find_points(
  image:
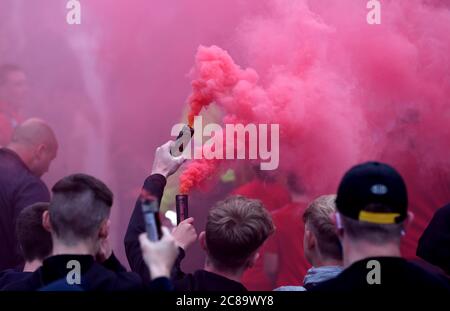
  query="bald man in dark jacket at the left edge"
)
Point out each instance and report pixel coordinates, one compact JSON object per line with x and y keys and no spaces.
{"x":26,"y":158}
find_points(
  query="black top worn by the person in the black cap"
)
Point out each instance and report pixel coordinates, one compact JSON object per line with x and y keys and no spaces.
{"x":395,"y":274}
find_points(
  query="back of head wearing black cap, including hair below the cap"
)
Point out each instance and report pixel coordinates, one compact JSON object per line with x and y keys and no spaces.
{"x":372,"y":202}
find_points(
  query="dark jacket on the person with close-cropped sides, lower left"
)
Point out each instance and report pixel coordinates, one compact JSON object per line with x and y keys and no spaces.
{"x":109,"y":276}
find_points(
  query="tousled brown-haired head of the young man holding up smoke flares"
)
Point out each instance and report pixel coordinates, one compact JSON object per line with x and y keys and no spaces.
{"x":235,"y":229}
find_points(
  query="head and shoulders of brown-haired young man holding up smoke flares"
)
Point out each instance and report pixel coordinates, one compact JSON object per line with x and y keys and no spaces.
{"x":235,"y":229}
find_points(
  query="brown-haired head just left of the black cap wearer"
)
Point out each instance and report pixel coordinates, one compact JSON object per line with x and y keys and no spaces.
{"x":318,"y":218}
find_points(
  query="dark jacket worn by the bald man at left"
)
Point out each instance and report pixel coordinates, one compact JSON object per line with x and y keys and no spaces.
{"x":19,"y":188}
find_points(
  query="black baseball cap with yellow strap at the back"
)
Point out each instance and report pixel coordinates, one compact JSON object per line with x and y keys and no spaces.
{"x":373,"y":192}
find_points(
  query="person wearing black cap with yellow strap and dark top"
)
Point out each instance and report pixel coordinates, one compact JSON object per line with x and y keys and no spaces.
{"x":372,"y":216}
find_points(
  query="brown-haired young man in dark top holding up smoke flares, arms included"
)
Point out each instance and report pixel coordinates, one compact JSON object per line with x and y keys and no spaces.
{"x":235,"y":230}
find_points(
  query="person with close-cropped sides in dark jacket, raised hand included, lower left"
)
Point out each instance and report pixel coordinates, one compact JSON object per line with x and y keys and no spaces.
{"x":78,"y":218}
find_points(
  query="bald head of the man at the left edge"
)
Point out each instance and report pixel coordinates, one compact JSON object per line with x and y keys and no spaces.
{"x":36,"y":144}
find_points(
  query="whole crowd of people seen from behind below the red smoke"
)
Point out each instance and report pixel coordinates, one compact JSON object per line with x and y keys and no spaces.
{"x":350,"y":239}
